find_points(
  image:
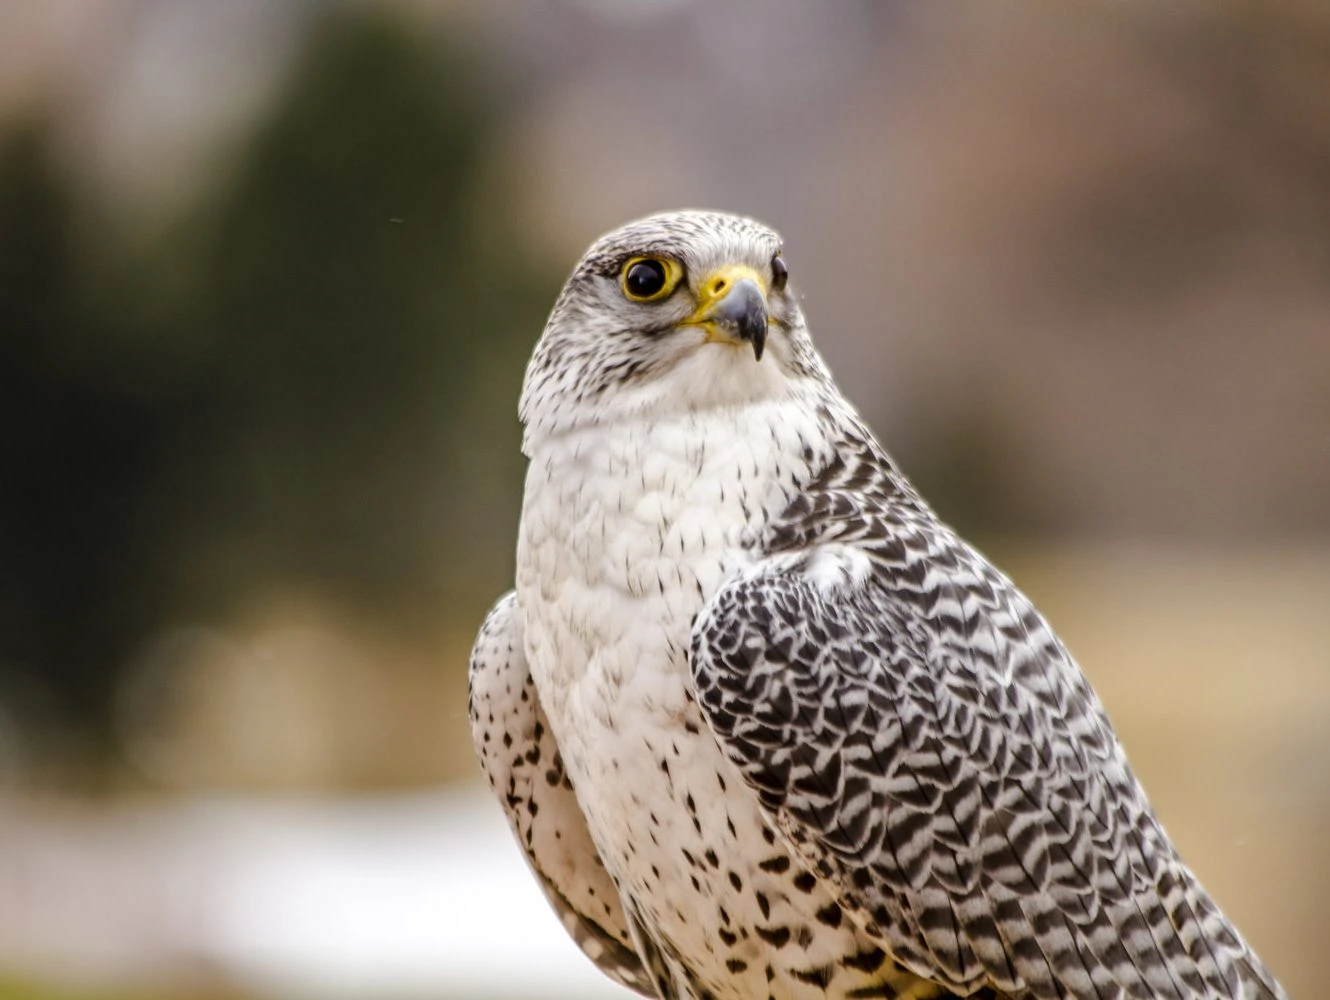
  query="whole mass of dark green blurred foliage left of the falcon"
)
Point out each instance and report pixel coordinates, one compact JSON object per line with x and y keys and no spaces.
{"x":308,"y":381}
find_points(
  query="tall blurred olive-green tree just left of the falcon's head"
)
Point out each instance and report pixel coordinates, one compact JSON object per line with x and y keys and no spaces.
{"x":356,"y":300}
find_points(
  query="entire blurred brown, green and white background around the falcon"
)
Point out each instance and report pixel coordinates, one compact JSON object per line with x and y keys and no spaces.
{"x":269,"y":276}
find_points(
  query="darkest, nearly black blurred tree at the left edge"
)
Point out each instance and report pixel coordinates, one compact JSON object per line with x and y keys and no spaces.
{"x":78,"y":450}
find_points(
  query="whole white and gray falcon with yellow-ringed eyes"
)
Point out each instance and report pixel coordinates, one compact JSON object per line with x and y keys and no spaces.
{"x":763,"y":724}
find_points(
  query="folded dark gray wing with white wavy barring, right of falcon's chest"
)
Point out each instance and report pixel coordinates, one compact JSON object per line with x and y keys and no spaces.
{"x":930,"y":751}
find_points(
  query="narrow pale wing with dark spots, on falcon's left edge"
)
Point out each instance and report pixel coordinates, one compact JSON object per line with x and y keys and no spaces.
{"x":522,"y":761}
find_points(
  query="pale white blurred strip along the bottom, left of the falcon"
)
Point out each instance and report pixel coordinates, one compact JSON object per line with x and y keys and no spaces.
{"x":410,"y":897}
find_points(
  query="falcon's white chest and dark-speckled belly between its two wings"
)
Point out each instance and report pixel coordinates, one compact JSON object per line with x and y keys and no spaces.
{"x":627,"y":534}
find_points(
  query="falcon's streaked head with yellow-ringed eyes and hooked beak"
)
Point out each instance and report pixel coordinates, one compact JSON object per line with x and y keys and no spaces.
{"x":674,"y":313}
